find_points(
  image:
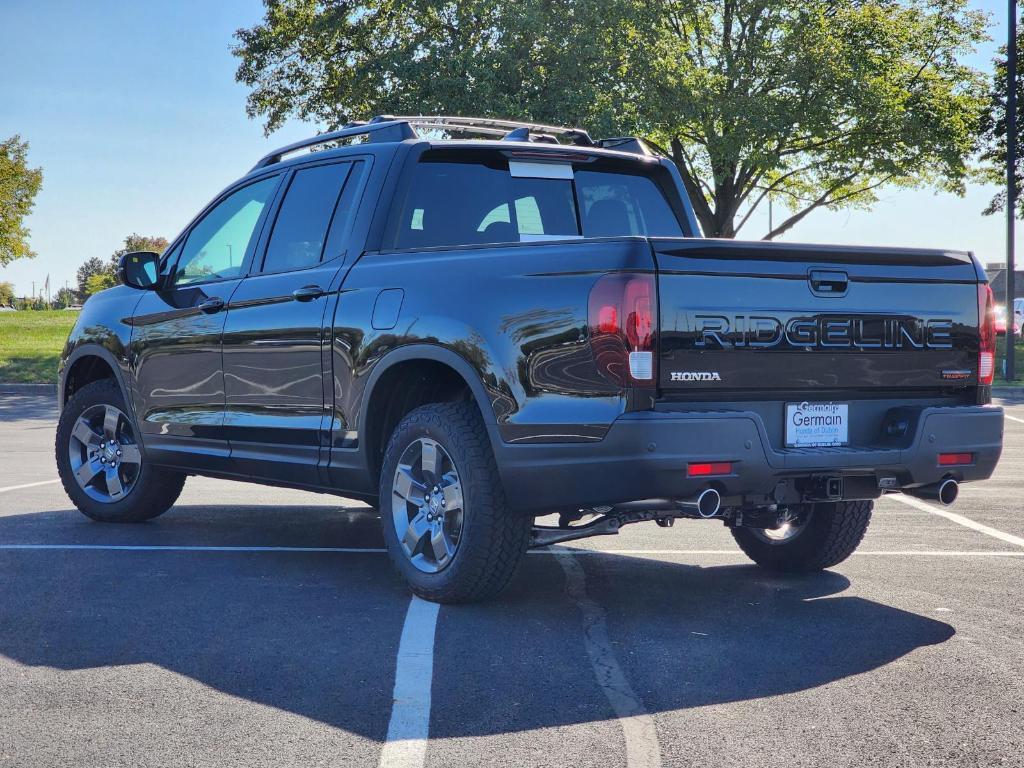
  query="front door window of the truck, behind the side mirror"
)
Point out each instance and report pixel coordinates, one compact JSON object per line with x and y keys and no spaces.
{"x":217,"y":247}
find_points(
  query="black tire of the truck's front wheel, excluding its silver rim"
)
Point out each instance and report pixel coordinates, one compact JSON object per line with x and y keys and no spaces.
{"x":152,"y":492}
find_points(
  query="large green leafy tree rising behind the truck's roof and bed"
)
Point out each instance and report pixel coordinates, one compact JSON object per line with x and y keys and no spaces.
{"x":816,"y":103}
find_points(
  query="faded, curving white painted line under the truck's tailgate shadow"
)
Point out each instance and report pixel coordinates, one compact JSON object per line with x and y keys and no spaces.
{"x":643,"y":750}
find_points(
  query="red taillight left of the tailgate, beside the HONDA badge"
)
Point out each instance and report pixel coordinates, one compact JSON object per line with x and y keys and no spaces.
{"x":622,"y":316}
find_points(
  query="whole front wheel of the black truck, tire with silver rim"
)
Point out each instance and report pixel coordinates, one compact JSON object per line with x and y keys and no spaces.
{"x":101,"y":463}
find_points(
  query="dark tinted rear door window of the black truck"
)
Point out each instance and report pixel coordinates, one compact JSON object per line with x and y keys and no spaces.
{"x":305,"y":219}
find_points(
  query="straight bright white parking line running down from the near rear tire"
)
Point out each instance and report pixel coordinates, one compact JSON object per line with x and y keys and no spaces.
{"x":406,"y":746}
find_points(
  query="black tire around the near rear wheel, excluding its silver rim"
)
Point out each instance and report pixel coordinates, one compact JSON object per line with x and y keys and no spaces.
{"x":493,"y":540}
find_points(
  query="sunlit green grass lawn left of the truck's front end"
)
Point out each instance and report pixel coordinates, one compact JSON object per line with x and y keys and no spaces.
{"x":31,"y":345}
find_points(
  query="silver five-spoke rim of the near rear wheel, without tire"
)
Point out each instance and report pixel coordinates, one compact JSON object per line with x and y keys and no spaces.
{"x":428,"y":505}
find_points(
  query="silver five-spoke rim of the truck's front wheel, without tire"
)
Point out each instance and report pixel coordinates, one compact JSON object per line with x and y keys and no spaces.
{"x":105,"y":457}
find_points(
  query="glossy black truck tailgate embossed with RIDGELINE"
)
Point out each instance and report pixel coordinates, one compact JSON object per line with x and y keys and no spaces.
{"x":760,"y":319}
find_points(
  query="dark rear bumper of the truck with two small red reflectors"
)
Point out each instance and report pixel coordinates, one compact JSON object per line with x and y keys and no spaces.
{"x":645,"y":455}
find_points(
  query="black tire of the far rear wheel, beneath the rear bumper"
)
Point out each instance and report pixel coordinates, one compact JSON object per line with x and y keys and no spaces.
{"x":831,"y":534}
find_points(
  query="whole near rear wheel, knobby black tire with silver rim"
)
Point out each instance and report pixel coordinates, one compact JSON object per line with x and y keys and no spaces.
{"x":446,"y":523}
